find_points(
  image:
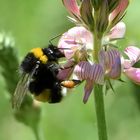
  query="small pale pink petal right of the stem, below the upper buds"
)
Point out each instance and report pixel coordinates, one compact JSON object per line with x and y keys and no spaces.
{"x":118,"y":31}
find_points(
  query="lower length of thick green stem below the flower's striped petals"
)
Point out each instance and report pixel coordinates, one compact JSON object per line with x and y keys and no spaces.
{"x":100,"y":113}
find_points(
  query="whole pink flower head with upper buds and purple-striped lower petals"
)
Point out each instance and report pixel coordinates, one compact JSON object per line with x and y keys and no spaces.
{"x":97,"y":21}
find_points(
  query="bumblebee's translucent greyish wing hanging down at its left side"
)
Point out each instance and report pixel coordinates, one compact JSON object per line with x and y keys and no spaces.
{"x":20,"y":91}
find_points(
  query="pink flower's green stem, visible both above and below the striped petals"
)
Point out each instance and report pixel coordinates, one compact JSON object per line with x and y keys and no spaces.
{"x":98,"y":92}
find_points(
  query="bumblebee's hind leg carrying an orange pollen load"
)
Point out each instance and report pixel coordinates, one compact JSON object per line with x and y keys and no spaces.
{"x":70,"y":83}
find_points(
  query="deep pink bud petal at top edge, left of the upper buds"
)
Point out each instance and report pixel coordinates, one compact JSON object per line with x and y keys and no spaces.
{"x":71,"y":6}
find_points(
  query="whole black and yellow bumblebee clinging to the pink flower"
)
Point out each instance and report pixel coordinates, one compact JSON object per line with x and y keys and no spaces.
{"x":39,"y":71}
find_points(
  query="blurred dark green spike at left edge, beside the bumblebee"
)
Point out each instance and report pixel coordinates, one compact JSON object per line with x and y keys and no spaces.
{"x":9,"y":65}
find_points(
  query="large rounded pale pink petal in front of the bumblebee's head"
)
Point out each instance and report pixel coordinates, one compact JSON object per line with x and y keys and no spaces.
{"x":73,"y":40}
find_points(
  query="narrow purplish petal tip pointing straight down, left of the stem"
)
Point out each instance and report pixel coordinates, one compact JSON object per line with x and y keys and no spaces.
{"x":88,"y":89}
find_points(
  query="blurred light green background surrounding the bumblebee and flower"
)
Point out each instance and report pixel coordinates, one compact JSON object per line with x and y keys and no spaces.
{"x":32,"y":23}
